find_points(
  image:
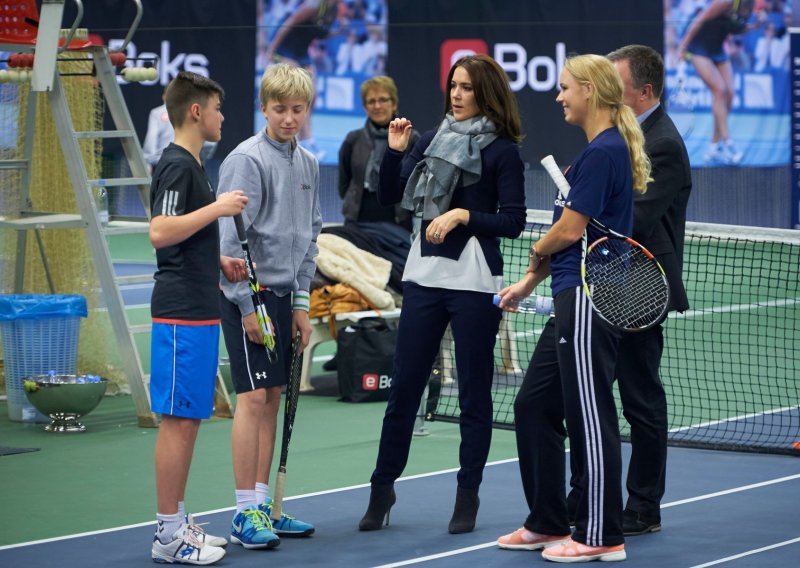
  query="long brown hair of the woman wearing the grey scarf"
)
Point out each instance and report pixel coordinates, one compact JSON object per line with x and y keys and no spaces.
{"x":493,"y":94}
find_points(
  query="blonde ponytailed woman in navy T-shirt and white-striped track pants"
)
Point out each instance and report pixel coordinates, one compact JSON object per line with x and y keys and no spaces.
{"x":572,"y":369}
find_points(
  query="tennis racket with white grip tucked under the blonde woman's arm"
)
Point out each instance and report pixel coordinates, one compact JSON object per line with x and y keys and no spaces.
{"x":624,"y":282}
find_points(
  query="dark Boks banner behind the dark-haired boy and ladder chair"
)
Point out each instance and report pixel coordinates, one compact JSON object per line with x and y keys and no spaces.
{"x":208,"y":37}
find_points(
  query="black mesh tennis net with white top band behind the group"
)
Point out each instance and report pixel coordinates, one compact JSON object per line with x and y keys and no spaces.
{"x":730,"y":365}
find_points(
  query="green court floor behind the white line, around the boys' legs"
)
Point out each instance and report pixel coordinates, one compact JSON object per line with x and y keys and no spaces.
{"x":104,"y":477}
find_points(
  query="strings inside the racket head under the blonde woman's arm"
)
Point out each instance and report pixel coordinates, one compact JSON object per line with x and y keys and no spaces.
{"x":626,"y":286}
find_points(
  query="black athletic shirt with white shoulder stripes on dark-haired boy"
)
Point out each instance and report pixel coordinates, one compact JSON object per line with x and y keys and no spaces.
{"x":187,"y":277}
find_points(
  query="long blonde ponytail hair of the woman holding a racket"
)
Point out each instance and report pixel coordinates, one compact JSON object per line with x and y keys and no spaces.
{"x":607,"y":93}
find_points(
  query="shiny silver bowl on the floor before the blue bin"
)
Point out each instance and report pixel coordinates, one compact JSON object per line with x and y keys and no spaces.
{"x":64,"y":398}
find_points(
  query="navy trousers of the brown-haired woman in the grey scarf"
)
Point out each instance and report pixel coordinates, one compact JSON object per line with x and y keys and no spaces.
{"x":474,"y":322}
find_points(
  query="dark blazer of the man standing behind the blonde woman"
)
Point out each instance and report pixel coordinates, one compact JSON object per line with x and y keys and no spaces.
{"x":659,"y":214}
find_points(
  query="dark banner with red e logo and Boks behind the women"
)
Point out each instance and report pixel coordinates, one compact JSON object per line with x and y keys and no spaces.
{"x":530,"y":40}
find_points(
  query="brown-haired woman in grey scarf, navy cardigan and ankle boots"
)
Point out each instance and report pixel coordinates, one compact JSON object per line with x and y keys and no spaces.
{"x":465,"y":182}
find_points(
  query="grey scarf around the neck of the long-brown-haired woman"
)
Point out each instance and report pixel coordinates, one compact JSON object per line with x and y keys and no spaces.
{"x":453,"y":157}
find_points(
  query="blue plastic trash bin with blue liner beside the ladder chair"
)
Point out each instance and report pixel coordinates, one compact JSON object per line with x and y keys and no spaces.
{"x":40,"y":334}
